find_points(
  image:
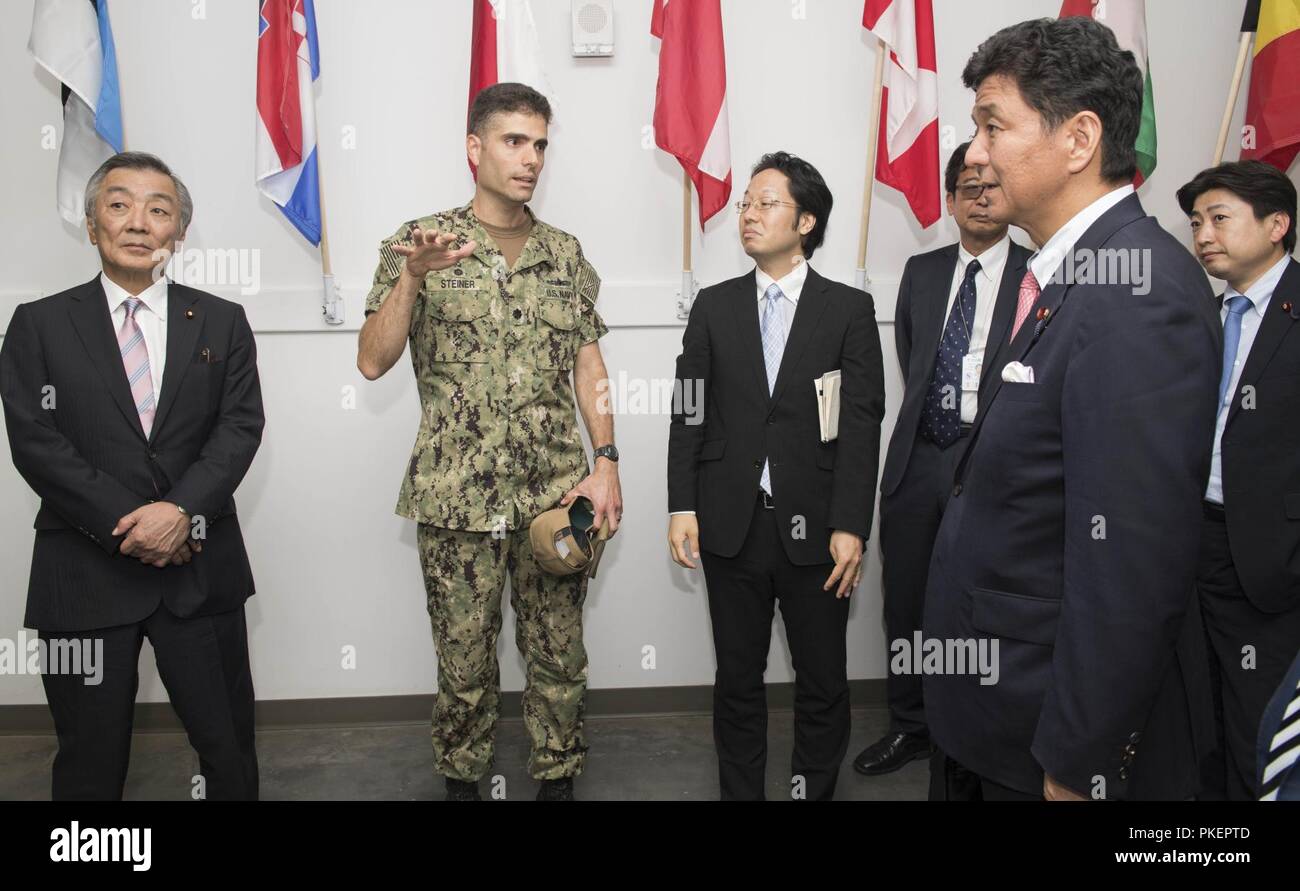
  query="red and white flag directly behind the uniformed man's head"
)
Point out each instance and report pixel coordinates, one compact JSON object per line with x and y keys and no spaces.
{"x":505,"y":49}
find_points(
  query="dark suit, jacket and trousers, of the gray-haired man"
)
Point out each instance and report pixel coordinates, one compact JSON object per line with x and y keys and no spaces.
{"x":88,"y":457}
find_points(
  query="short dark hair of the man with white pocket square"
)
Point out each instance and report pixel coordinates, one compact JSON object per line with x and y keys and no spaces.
{"x":1068,"y":66}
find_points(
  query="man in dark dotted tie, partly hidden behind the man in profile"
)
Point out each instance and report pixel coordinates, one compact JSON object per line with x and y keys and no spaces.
{"x":955,"y":312}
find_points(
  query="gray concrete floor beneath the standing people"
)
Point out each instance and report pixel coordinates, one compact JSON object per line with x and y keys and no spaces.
{"x":630,"y":759}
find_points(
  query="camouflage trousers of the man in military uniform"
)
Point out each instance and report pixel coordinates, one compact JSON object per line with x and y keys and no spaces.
{"x":463,"y":576}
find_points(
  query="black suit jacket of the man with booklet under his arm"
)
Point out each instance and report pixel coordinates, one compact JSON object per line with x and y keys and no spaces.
{"x":714,"y":466}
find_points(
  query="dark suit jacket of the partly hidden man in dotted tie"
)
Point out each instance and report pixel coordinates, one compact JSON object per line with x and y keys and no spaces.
{"x":920,"y":321}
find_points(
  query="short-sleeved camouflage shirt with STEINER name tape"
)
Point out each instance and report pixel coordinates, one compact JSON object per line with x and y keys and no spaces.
{"x":493,"y":351}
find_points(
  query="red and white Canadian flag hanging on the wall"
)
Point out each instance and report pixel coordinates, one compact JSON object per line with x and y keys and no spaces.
{"x":908,"y":150}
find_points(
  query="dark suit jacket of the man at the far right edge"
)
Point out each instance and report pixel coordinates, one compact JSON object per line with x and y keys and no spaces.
{"x":1262,"y":457}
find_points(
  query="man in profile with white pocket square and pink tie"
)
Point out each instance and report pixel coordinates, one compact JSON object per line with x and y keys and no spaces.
{"x":1068,"y":548}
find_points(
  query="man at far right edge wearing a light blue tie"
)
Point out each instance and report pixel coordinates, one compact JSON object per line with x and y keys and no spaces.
{"x":1243,"y":220}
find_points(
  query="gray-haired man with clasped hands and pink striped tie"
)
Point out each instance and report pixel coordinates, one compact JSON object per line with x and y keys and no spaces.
{"x":133,"y":410}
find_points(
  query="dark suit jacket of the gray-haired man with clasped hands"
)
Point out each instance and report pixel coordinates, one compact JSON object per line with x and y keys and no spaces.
{"x":89,"y":460}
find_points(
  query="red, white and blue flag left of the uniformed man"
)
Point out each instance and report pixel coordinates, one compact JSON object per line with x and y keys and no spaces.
{"x":288,"y":63}
